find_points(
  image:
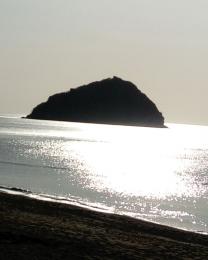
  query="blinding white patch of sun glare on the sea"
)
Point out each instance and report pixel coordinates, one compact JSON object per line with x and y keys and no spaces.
{"x":133,"y":162}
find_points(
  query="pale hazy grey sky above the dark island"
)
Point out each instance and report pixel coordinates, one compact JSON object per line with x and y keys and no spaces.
{"x":49,"y":46}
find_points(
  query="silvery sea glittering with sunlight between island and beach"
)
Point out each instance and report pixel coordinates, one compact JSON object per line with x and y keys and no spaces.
{"x":160,"y":175}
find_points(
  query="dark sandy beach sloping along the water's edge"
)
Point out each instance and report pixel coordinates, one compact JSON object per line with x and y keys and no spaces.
{"x":35,"y":229}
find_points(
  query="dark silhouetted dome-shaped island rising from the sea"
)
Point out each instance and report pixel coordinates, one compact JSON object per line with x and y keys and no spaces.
{"x":110,"y":101}
